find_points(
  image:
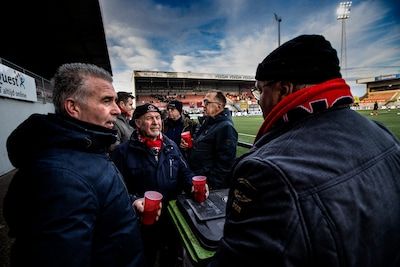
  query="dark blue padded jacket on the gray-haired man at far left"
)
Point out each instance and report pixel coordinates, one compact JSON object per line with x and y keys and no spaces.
{"x":67,"y":204}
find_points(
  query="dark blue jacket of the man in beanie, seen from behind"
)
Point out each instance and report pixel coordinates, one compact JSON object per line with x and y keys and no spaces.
{"x":324,"y":191}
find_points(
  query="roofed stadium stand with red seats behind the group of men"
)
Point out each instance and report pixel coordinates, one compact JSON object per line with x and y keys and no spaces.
{"x":190,"y":89}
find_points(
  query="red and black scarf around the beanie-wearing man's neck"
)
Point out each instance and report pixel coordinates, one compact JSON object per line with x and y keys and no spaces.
{"x":306,"y":101}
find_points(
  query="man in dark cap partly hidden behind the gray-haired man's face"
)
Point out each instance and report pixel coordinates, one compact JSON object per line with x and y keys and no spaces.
{"x":124,"y":129}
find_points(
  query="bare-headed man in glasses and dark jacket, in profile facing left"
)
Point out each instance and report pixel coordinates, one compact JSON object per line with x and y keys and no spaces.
{"x":214,"y":145}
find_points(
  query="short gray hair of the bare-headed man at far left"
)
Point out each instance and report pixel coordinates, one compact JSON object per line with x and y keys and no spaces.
{"x":69,"y":81}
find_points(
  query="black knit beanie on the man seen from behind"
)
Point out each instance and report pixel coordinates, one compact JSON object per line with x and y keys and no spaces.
{"x":306,"y":59}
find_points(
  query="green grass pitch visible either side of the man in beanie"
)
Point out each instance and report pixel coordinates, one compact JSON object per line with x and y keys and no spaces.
{"x":247,"y":127}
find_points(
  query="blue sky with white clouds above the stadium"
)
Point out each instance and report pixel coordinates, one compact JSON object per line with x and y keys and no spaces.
{"x":233,"y":36}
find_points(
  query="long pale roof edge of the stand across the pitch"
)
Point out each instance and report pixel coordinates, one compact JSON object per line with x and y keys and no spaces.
{"x":191,"y":75}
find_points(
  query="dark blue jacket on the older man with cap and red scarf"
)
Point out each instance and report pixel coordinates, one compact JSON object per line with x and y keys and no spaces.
{"x":169,"y":175}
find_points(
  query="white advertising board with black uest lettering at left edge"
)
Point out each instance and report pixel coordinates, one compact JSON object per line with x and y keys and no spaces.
{"x":17,"y":85}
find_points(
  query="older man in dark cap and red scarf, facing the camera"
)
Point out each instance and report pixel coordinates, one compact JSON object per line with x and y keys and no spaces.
{"x":152,"y":161}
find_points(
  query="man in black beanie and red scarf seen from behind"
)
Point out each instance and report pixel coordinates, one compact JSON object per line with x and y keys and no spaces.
{"x":321,"y":186}
